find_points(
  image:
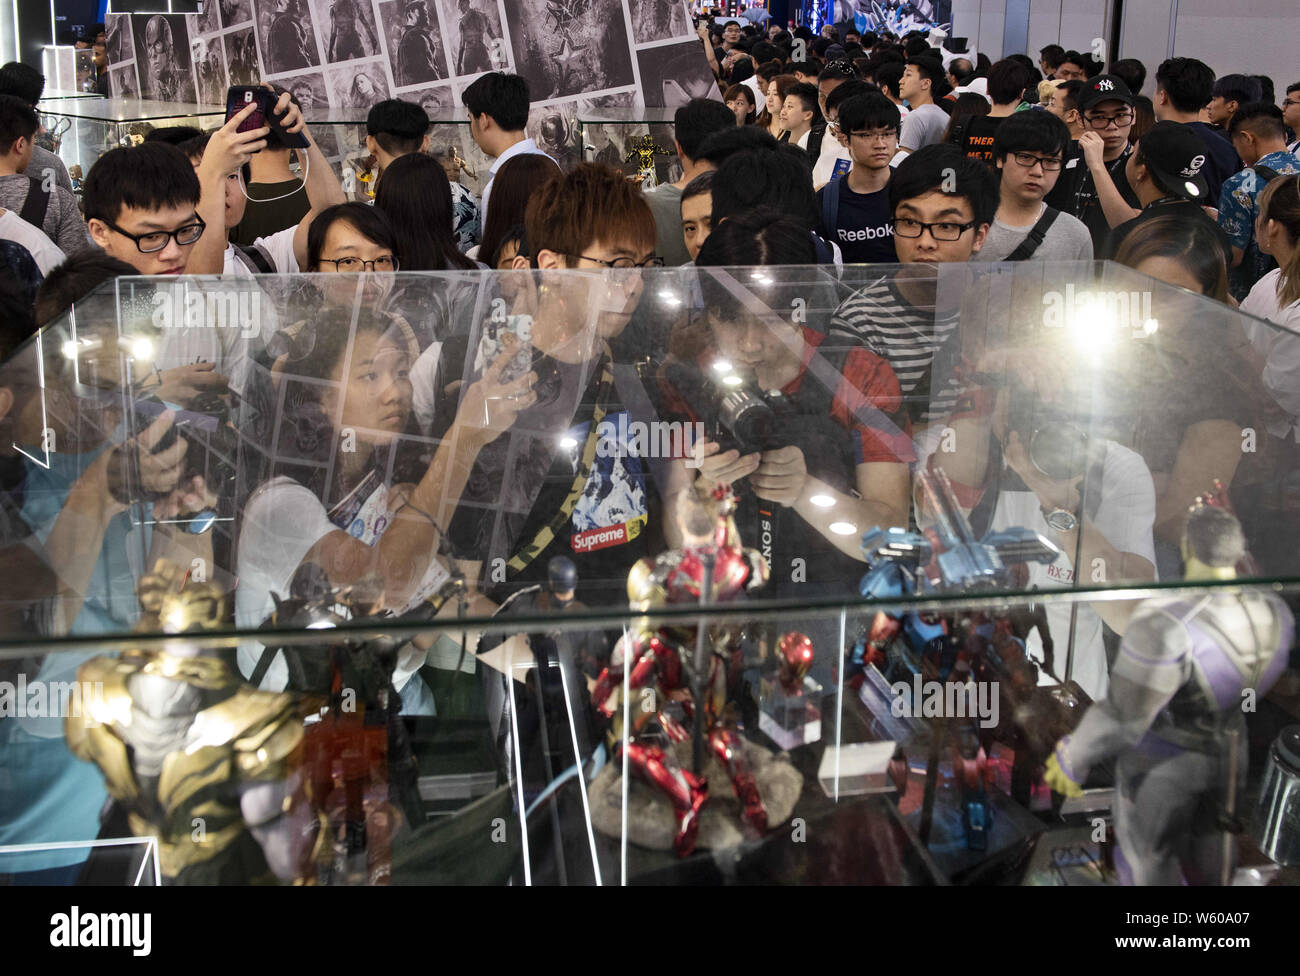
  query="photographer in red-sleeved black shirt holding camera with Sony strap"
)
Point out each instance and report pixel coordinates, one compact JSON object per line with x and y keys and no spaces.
{"x":800,"y":428}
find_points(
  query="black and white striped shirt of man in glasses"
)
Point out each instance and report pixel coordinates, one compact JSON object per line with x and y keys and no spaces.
{"x":909,"y":337}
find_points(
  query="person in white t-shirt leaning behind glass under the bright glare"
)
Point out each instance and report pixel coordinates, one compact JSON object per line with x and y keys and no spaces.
{"x":1019,"y":456}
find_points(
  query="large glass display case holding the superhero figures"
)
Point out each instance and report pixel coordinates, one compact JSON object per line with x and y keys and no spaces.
{"x":445,"y":580}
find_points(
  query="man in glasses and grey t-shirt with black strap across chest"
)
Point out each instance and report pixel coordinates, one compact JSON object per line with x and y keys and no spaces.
{"x":1029,"y":150}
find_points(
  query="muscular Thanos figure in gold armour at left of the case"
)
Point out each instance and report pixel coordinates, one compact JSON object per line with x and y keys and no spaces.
{"x":197,"y":757}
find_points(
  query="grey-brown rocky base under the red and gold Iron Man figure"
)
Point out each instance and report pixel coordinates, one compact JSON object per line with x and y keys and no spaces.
{"x":652,"y":821}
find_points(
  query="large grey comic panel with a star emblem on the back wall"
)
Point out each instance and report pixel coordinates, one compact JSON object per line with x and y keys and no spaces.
{"x":570,"y":47}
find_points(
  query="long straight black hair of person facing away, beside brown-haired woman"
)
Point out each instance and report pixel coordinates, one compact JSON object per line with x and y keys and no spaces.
{"x":415,"y":196}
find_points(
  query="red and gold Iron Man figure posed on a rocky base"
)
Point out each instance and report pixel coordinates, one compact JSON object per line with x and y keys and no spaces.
{"x":655,"y":662}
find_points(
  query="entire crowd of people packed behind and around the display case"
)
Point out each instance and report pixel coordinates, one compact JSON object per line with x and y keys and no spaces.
{"x":478,"y":409}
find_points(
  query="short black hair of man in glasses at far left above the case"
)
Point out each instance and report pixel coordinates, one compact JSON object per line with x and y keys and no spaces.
{"x":146,"y":177}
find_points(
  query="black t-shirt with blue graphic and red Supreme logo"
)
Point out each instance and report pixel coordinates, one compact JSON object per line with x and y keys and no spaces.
{"x":522,"y":480}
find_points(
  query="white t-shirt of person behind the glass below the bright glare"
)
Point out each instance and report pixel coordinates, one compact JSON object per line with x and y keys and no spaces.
{"x":1126,"y":518}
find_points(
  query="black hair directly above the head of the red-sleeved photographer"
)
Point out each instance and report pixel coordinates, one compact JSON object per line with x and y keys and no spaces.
{"x":779,"y":177}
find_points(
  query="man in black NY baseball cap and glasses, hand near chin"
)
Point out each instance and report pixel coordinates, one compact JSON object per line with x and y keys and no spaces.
{"x":1093,"y":186}
